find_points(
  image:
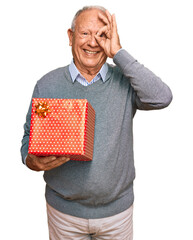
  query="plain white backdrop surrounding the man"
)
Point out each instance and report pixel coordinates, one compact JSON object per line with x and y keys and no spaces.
{"x":158,"y":33}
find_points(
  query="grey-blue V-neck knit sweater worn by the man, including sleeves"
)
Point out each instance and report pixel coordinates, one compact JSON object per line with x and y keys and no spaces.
{"x":104,"y":186}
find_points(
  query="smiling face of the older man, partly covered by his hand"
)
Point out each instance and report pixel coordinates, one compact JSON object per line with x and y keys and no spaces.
{"x":87,"y":54}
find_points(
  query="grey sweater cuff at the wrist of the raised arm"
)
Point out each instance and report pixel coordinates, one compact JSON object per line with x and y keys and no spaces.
{"x":122,"y":58}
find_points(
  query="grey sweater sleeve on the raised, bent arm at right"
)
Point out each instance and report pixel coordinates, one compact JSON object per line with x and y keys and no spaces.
{"x":149,"y":91}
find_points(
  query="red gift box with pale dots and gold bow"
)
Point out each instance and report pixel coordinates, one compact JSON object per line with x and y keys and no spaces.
{"x":62,"y":127}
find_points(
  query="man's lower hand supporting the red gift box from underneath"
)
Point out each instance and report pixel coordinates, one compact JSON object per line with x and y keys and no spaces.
{"x":44,"y":163}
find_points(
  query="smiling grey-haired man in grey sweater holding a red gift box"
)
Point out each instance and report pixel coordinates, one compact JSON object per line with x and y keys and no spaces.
{"x":94,"y":200}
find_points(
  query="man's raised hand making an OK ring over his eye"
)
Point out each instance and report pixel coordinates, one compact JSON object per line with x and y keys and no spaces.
{"x":107,"y":37}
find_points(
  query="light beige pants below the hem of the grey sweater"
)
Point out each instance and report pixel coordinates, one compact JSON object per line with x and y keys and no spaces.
{"x":62,"y":226}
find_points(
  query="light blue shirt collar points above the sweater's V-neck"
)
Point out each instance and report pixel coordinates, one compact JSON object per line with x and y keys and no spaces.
{"x":74,"y":71}
